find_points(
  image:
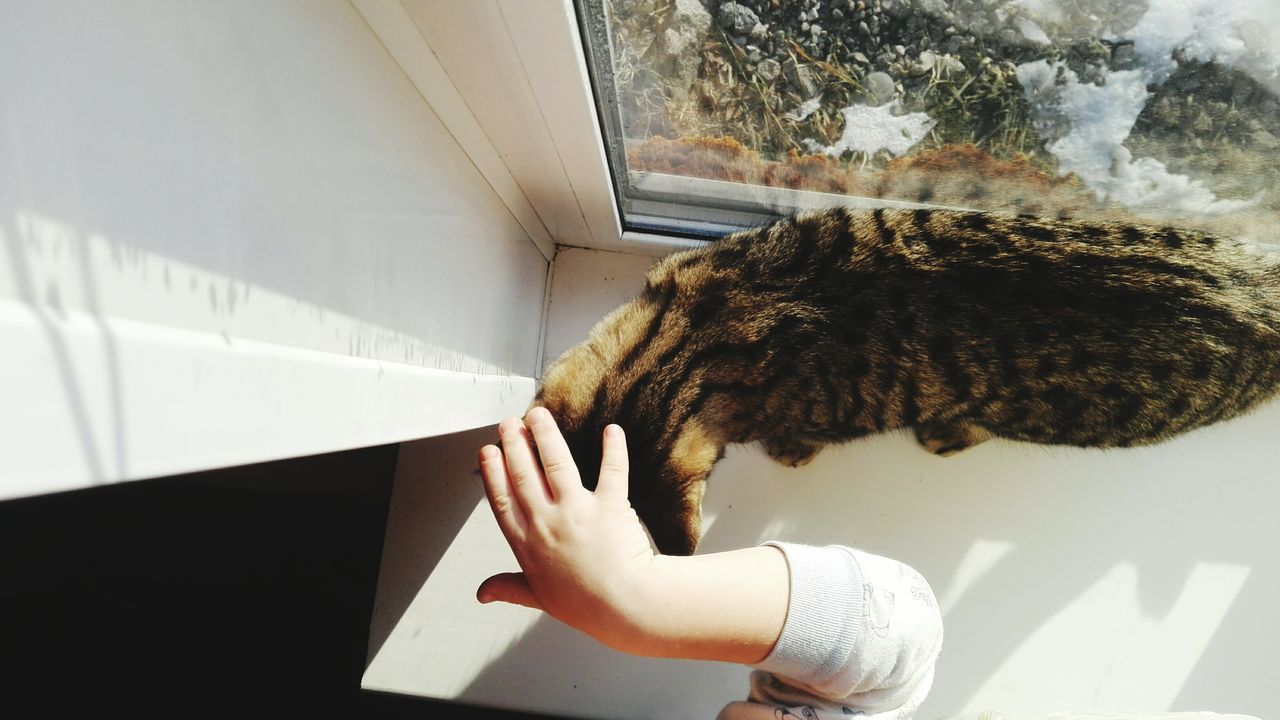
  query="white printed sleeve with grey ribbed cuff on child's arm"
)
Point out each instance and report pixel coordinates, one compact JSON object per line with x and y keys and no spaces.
{"x":862,"y":635}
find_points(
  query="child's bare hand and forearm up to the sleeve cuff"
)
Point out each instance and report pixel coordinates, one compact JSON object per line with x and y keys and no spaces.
{"x":588,"y":560}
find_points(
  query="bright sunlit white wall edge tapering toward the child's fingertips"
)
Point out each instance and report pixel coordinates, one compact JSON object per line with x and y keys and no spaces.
{"x":122,"y":400}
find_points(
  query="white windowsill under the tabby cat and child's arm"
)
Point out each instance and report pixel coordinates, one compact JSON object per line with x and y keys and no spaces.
{"x":1071,"y":580}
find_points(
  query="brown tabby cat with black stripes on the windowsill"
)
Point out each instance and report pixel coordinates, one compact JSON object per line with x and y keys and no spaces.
{"x":962,"y":326}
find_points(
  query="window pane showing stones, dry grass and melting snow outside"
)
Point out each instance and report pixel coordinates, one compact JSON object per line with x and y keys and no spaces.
{"x":721,"y":115}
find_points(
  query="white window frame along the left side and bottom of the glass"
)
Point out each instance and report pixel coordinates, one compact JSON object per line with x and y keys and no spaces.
{"x":542,"y":43}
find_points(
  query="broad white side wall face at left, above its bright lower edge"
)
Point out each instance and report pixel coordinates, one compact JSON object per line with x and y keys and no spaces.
{"x":371,"y":213}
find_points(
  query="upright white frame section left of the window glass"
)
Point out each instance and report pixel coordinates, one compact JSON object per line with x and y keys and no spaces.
{"x":519,"y":102}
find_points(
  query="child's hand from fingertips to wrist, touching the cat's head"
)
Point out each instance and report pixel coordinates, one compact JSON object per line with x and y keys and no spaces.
{"x":586,"y":555}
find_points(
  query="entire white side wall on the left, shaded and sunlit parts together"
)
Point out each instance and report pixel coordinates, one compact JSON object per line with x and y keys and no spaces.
{"x":252,"y":174}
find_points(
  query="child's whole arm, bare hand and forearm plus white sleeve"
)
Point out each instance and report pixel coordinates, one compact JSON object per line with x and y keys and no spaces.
{"x":833,"y":630}
